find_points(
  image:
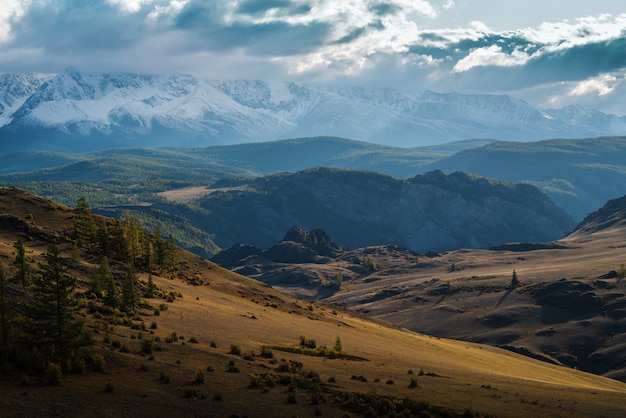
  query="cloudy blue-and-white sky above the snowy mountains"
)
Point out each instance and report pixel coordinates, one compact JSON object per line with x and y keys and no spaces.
{"x":551,"y":53}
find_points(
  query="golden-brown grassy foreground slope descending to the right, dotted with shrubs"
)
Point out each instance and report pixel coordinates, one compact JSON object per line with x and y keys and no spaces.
{"x":230,"y":309}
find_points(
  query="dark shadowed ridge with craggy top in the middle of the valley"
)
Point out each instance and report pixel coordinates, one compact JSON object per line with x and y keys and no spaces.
{"x":433,"y":211}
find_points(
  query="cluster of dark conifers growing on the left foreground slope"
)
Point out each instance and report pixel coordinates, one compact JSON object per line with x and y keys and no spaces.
{"x":40,"y":326}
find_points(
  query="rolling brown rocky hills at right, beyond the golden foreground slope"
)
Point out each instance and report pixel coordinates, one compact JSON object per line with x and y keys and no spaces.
{"x":565,"y":306}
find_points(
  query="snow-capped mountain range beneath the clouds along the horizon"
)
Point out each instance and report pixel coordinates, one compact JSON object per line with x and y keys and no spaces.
{"x":76,"y":111}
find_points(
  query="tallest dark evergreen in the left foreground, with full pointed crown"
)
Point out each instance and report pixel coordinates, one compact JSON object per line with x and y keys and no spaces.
{"x":50,"y":317}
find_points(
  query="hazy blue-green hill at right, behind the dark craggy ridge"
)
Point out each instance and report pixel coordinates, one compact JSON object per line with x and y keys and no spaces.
{"x":579,"y":175}
